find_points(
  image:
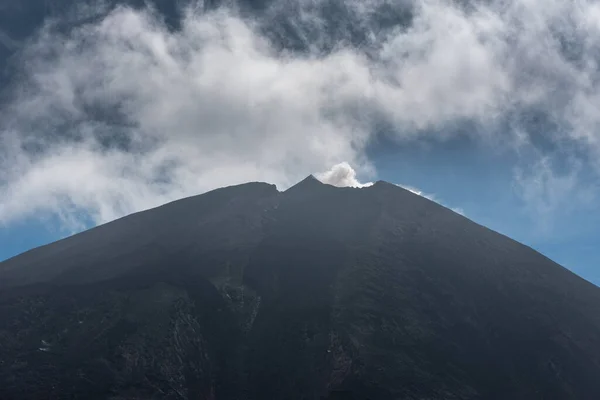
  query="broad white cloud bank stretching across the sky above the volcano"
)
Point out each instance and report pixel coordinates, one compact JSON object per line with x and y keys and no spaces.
{"x":217,"y":103}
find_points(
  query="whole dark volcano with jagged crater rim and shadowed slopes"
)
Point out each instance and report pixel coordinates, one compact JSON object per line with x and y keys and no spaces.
{"x":317,"y":292}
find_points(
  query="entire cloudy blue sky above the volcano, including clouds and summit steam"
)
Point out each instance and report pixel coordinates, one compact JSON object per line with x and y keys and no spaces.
{"x":490,"y":107}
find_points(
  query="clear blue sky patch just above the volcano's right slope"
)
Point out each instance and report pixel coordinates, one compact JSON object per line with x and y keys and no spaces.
{"x":482,"y":186}
